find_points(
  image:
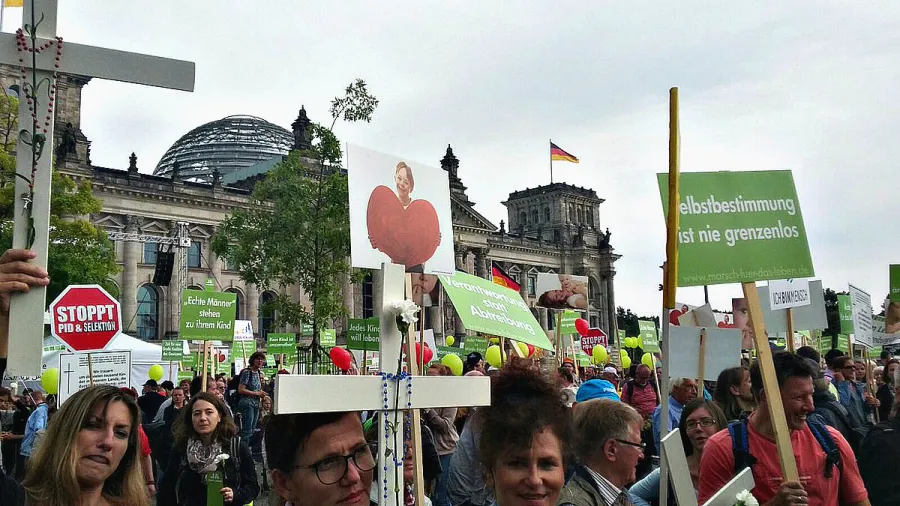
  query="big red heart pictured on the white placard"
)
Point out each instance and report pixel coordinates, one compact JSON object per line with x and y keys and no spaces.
{"x":408,"y":236}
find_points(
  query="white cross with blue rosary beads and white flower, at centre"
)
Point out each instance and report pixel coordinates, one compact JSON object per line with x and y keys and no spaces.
{"x":319,"y":394}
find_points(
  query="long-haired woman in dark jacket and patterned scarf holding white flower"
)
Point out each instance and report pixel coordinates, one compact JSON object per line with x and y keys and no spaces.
{"x":208,"y":458}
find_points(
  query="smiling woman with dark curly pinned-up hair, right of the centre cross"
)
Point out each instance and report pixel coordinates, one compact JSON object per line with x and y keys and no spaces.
{"x":525,"y":437}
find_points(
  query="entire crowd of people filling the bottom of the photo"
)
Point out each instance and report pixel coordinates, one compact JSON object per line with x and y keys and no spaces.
{"x":563,"y":437}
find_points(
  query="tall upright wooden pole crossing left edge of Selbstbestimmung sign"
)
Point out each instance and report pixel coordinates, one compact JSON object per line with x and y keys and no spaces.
{"x":670,"y":274}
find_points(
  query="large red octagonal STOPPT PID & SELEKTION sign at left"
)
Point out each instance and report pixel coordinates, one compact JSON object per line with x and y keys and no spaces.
{"x":85,"y":318}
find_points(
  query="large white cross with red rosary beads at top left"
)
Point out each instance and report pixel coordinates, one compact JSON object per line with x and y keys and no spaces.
{"x":33,"y":51}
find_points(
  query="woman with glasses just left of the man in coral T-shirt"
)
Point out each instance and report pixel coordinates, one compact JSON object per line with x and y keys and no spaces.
{"x":700,"y":419}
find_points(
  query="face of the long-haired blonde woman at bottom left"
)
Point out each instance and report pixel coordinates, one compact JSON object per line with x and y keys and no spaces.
{"x":101,"y":443}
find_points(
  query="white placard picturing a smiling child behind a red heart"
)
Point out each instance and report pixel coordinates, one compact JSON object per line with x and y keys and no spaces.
{"x":399,"y":213}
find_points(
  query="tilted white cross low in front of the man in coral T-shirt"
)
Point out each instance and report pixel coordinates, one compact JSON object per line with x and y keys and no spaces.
{"x":674,"y":460}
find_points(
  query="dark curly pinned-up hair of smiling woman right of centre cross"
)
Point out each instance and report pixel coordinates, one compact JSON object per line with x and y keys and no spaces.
{"x":523,"y":402}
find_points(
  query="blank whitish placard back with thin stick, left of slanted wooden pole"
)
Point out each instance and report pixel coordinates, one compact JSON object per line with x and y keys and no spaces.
{"x":723,"y":350}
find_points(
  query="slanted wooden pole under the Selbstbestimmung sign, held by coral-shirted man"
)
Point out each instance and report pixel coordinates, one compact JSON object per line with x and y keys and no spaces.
{"x":770,"y":384}
